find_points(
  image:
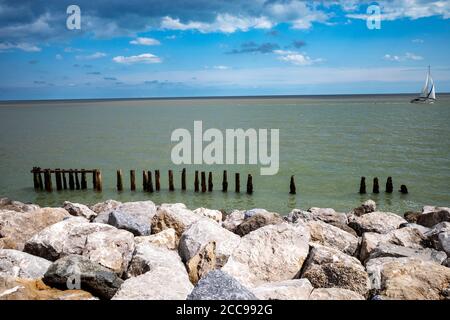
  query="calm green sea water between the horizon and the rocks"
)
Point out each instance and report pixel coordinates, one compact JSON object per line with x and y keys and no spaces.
{"x":328,"y":143}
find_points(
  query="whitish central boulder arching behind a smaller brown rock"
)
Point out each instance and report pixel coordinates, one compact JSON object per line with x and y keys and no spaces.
{"x":204,"y":231}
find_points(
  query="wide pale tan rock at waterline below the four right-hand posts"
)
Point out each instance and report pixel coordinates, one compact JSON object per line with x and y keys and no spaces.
{"x":380,"y":222}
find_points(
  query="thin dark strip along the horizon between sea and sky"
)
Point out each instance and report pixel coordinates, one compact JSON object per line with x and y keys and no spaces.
{"x":323,"y":96}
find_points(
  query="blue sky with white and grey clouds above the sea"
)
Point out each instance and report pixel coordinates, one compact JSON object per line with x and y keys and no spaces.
{"x":156,"y":48}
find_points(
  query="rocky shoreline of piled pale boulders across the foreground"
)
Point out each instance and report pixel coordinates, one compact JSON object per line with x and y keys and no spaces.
{"x":139,"y":250}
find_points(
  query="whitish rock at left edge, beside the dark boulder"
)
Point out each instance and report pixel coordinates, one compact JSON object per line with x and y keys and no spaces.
{"x":23,"y":265}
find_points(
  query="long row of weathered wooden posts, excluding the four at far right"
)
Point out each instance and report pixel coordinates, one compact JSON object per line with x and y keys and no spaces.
{"x":147,"y":180}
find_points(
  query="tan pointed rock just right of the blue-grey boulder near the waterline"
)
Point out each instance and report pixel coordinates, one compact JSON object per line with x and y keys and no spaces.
{"x":175,"y":217}
